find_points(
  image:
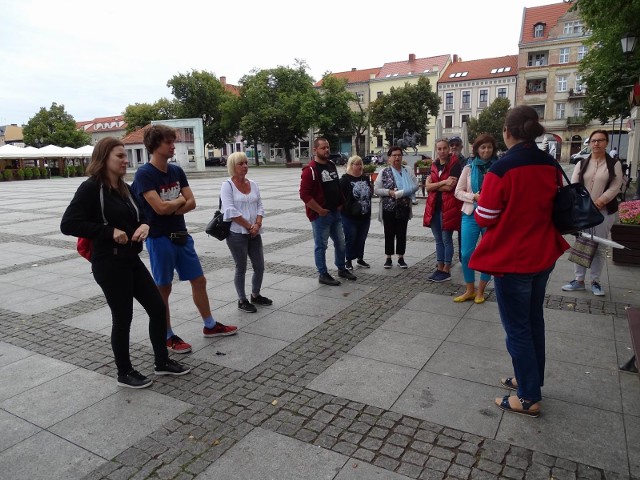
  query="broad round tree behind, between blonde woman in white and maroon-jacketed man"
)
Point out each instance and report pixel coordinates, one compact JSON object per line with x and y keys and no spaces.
{"x":278,"y":105}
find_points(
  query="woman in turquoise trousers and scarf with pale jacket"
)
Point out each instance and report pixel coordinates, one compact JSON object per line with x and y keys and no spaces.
{"x":468,"y":191}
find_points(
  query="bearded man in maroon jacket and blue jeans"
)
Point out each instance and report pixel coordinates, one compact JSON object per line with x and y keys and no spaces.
{"x":321,"y":194}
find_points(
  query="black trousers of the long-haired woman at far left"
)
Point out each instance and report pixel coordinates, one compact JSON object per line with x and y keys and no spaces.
{"x":122,"y":280}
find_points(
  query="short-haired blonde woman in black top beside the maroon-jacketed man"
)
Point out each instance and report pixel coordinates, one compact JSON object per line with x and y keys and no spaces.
{"x":356,"y":211}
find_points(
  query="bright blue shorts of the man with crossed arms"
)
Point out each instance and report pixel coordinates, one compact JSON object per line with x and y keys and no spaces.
{"x":166,"y":257}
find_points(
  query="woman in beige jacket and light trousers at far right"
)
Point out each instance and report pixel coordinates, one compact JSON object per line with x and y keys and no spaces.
{"x":602,"y":177}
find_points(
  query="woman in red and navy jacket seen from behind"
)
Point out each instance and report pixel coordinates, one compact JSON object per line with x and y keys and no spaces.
{"x":520,"y":248}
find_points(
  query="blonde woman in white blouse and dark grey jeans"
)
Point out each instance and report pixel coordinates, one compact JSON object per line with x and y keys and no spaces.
{"x":241,"y":204}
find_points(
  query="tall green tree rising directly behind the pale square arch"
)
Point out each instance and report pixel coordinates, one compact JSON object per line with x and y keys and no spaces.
{"x":201,"y":95}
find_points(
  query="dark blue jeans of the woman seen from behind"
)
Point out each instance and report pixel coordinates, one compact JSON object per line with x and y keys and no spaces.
{"x":521,"y":301}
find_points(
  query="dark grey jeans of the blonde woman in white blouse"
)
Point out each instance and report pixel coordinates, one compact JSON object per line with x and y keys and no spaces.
{"x":242,"y":245}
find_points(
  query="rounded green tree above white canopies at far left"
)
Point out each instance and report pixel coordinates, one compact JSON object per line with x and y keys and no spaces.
{"x":54,"y":127}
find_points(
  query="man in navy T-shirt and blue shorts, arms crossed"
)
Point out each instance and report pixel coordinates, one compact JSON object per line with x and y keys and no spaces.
{"x":166,"y":196}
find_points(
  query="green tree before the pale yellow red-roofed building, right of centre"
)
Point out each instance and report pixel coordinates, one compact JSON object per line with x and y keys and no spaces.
{"x":411,"y":105}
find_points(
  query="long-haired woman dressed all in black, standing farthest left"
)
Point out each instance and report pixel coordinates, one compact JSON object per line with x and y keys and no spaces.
{"x":104,"y":211}
